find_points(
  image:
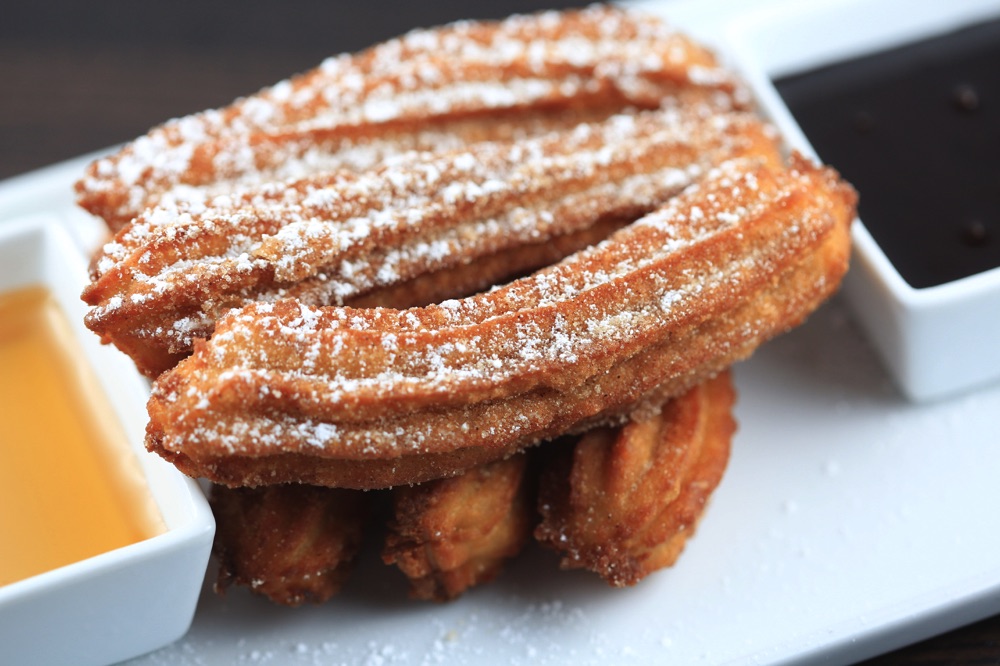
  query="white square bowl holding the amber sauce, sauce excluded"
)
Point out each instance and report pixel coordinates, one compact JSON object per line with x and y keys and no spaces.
{"x":133,"y":599}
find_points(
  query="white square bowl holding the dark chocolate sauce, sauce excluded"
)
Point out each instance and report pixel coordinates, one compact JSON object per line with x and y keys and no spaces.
{"x":936,"y":341}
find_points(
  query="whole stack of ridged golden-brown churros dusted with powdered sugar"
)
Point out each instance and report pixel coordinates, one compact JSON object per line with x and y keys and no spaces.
{"x":408,"y":268}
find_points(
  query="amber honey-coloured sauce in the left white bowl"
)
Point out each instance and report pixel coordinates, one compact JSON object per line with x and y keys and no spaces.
{"x":70,"y":487}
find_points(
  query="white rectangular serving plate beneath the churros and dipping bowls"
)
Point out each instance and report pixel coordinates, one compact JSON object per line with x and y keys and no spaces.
{"x":850,"y":522}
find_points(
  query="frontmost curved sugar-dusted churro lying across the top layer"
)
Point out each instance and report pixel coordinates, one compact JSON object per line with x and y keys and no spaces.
{"x":360,"y":398}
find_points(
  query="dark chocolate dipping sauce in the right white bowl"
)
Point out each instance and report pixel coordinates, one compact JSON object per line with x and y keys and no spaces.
{"x":916,"y":130}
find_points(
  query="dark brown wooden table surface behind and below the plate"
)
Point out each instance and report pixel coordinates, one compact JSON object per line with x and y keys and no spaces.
{"x":78,"y":76}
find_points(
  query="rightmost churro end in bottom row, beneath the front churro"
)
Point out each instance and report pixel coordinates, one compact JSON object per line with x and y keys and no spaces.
{"x":623,"y":502}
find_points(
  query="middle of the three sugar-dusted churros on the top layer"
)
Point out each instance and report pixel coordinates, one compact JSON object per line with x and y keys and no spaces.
{"x":332,"y":239}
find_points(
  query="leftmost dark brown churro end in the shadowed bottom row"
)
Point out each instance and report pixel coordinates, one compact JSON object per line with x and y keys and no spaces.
{"x":293,"y":544}
